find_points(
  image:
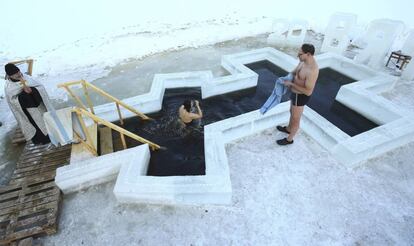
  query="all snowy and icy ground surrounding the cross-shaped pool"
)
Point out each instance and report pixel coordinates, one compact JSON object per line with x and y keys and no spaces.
{"x":296,"y":195}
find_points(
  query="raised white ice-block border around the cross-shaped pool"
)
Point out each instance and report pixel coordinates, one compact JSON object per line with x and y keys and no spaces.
{"x":132,"y":185}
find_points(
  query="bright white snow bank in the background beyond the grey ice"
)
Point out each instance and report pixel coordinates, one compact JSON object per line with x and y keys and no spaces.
{"x":76,"y":39}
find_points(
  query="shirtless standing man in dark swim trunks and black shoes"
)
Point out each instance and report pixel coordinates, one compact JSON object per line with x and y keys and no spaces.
{"x":305,"y":76}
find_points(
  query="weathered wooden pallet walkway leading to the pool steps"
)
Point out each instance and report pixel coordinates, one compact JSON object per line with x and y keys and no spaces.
{"x":29,"y":205}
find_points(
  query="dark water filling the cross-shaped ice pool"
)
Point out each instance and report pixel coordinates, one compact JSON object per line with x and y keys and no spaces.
{"x":185,"y":147}
